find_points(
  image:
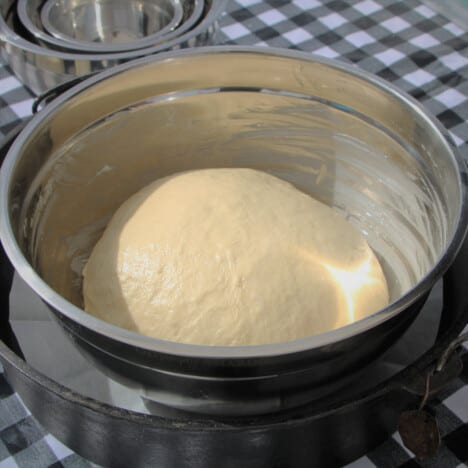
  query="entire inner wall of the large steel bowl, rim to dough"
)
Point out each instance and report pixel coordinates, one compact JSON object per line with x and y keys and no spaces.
{"x":359,"y":148}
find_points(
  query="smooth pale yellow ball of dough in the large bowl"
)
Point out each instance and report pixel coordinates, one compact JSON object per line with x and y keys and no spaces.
{"x":230,"y":257}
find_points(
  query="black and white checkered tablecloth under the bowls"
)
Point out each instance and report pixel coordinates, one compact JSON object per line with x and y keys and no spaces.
{"x":405,"y":42}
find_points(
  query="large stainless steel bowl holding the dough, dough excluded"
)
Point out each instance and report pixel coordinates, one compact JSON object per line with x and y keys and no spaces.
{"x":339,"y":134}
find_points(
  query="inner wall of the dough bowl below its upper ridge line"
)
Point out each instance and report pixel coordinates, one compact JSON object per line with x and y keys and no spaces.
{"x":329,"y":152}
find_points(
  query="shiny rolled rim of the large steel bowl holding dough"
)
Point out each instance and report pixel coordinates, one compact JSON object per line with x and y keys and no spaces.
{"x":79,"y":316}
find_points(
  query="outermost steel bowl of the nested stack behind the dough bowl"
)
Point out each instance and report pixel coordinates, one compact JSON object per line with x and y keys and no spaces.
{"x":41,"y":69}
